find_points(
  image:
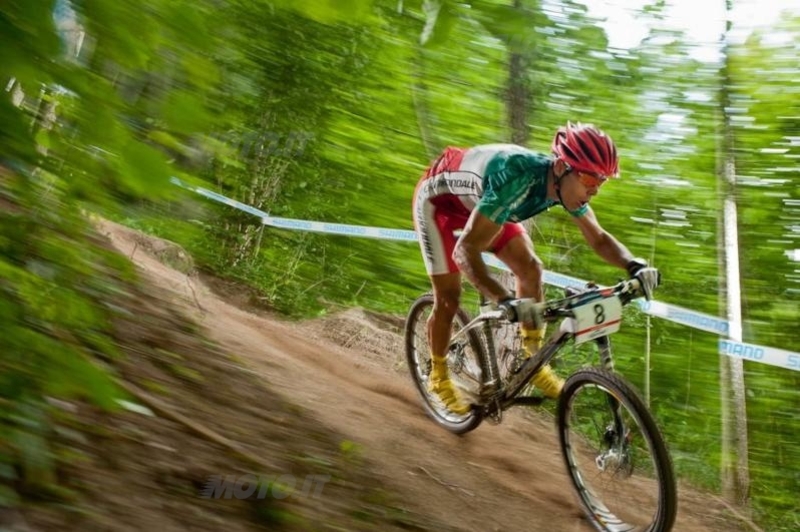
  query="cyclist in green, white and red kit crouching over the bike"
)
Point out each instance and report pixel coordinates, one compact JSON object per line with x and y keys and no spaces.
{"x":485,"y":191}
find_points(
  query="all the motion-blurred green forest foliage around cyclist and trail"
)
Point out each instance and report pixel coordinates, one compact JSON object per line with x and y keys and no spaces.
{"x":330,"y":111}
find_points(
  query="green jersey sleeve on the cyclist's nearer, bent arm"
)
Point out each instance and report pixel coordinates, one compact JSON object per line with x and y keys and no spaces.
{"x":505,"y":185}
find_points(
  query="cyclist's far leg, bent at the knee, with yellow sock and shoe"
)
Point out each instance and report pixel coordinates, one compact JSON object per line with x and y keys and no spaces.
{"x":515,"y":248}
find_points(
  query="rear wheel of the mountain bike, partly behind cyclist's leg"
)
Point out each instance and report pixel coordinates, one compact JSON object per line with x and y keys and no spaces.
{"x":465,"y":360}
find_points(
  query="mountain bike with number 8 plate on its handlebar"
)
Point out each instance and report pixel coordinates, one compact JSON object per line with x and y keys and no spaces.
{"x":613,"y":450}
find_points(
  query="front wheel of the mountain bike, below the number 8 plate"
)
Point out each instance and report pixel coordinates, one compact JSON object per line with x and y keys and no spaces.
{"x":615,"y":454}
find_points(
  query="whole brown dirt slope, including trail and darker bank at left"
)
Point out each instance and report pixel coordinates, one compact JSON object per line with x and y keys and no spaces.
{"x":328,"y":397}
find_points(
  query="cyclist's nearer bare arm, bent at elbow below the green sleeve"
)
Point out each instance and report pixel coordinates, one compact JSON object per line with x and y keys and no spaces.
{"x":476,"y":238}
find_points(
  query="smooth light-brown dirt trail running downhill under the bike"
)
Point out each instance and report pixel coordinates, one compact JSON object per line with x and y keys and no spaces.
{"x":347,"y":373}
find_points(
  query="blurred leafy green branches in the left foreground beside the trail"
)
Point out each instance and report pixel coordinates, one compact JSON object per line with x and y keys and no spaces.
{"x":77,"y":132}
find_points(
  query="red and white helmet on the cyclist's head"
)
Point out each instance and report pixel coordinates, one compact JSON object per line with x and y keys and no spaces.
{"x":587,"y":149}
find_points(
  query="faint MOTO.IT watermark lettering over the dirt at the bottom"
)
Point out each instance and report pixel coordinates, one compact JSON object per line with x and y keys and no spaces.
{"x":263,"y":486}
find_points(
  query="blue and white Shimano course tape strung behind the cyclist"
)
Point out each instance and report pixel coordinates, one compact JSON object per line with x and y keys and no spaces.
{"x":673,"y":313}
